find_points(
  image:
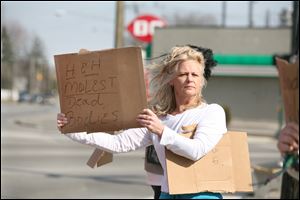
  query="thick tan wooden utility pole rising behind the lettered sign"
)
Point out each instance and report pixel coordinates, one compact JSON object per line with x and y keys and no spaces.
{"x":119,"y":24}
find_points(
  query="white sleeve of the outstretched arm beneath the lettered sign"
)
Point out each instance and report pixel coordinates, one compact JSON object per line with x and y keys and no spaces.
{"x":125,"y":141}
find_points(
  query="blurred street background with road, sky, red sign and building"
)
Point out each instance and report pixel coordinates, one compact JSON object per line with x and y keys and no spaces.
{"x":37,"y":162}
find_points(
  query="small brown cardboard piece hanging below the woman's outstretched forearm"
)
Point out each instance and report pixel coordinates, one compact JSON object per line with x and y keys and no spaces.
{"x":99,"y":158}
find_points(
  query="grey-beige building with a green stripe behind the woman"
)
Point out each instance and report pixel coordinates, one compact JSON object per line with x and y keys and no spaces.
{"x":250,"y":91}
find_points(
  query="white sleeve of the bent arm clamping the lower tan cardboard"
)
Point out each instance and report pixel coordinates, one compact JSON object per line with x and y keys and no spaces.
{"x":209,"y":132}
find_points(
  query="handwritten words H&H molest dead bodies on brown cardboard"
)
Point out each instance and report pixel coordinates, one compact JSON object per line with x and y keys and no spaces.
{"x":87,"y":92}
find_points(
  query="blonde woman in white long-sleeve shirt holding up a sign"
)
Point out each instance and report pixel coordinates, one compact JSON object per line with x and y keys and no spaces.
{"x":177,"y":83}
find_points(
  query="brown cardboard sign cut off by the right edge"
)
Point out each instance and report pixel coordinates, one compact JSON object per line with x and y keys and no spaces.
{"x":289,"y":86}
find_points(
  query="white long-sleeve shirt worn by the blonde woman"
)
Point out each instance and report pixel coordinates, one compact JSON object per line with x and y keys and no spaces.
{"x":211,"y":127}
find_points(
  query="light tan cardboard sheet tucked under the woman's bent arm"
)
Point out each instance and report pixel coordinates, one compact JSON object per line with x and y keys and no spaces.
{"x":224,"y":169}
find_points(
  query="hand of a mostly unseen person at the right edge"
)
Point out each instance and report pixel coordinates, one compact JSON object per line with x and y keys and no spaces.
{"x":288,"y":140}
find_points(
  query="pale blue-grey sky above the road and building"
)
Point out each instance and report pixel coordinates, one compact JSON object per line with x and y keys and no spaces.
{"x":66,"y":27}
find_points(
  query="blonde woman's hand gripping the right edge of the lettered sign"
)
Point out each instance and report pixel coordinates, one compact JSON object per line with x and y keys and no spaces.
{"x":148,"y":119}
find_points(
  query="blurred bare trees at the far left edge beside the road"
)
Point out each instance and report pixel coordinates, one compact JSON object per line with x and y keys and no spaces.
{"x":24,"y":62}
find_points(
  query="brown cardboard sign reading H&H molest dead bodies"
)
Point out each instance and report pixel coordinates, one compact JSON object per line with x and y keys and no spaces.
{"x":101,"y":90}
